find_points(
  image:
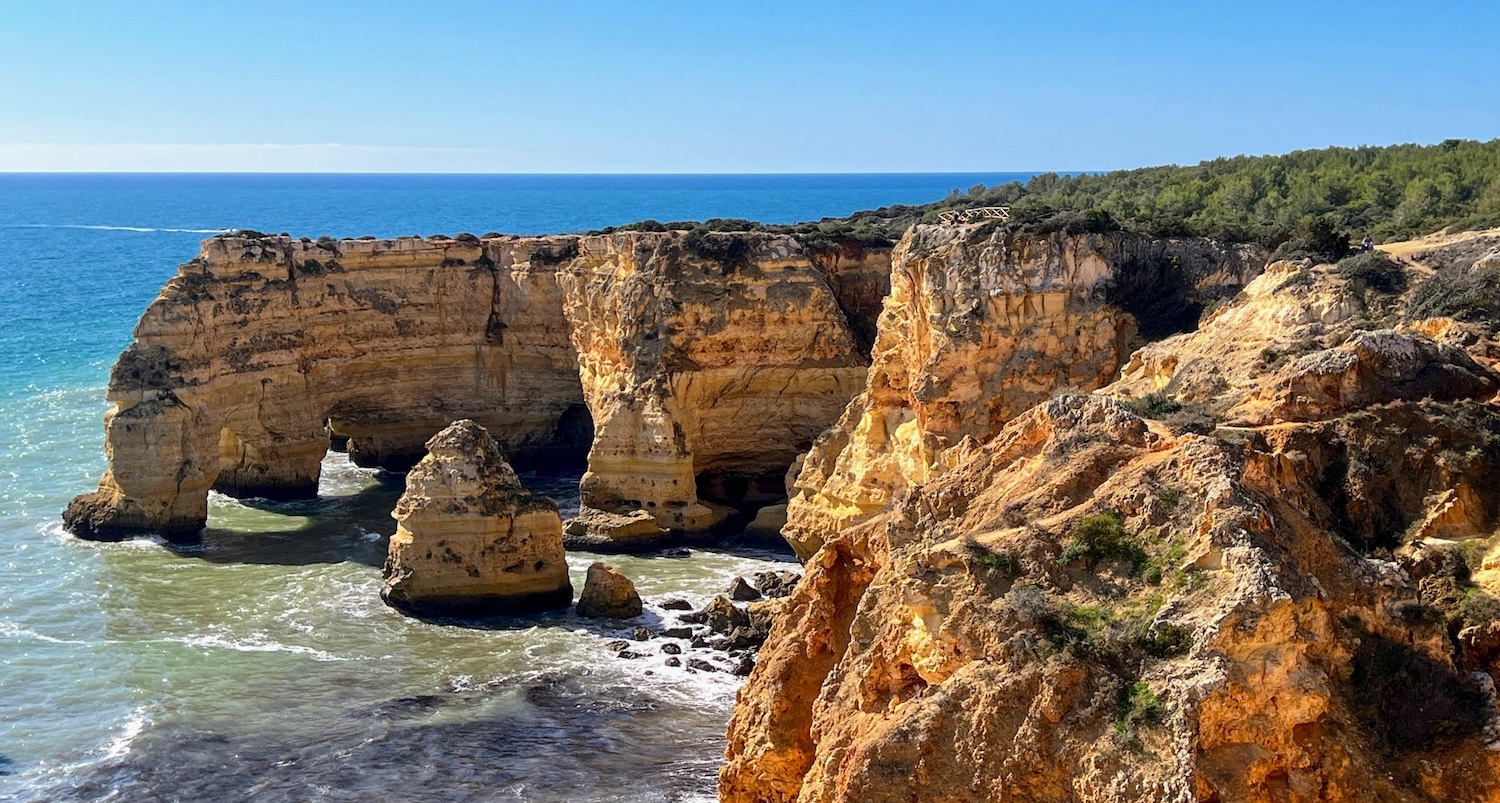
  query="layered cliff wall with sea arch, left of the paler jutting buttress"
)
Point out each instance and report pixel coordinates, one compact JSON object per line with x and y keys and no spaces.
{"x":262,"y":346}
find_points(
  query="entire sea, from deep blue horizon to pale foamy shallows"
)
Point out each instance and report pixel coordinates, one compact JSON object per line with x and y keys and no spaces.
{"x":262,"y":664}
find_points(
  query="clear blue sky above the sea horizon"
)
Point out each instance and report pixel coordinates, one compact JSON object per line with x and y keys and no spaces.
{"x":572,"y":86}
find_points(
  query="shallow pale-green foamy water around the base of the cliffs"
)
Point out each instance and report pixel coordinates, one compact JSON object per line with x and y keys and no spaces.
{"x":262,"y":666}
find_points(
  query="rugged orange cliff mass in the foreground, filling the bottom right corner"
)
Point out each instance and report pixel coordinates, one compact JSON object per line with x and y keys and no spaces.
{"x":1091,"y":606}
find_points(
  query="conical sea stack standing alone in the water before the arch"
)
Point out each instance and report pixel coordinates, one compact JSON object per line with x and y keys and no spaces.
{"x":472,"y":541}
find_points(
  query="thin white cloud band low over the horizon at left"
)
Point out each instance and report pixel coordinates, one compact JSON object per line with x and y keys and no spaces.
{"x":247,"y":158}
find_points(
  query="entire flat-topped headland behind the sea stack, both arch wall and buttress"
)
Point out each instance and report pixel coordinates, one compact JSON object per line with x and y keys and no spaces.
{"x":710,"y":359}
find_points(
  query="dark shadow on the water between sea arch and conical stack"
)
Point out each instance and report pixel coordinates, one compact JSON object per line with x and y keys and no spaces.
{"x":352,"y":528}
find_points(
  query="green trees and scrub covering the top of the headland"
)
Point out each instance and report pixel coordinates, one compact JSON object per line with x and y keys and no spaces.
{"x":1298,"y":199}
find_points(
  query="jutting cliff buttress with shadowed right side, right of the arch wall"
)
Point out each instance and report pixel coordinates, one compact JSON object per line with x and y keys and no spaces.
{"x":709,"y":362}
